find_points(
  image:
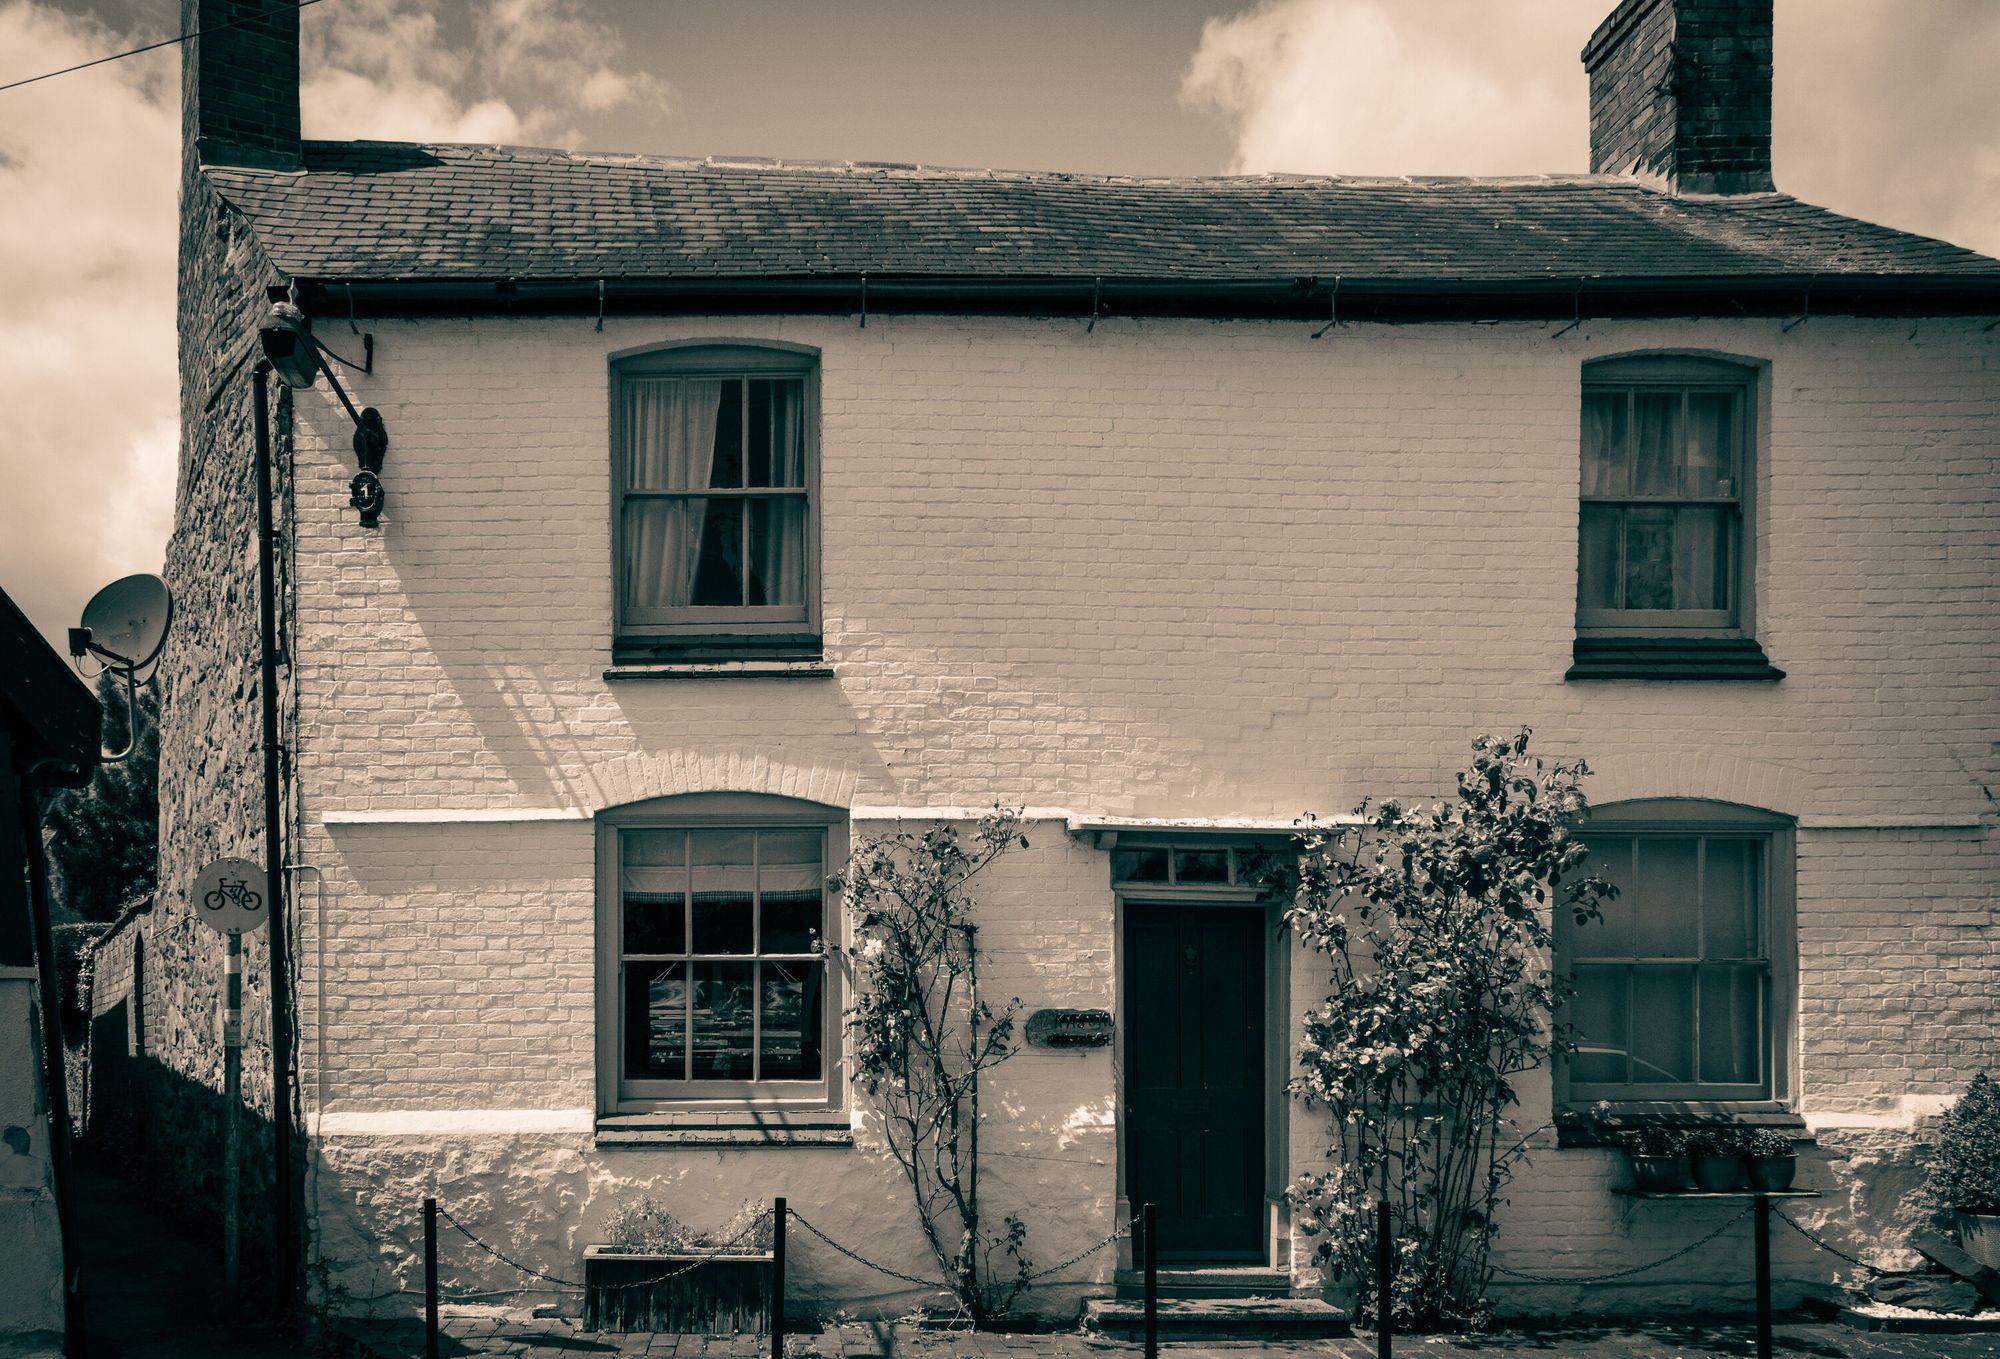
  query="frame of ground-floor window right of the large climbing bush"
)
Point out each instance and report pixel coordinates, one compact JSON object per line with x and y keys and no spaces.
{"x":1667,"y":818}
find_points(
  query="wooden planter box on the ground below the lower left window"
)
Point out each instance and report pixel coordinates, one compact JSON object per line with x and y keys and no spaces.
{"x":721,"y":1296}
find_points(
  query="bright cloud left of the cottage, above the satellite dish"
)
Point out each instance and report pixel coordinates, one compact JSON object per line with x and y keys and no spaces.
{"x":89,"y":169}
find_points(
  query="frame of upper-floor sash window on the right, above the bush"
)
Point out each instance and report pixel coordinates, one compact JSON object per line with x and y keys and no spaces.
{"x":1685,"y":375}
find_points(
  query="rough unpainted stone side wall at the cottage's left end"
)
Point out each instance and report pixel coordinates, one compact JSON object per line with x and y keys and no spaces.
{"x":211,"y":736}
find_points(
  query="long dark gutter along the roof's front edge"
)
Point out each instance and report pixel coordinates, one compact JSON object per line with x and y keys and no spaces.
{"x":1299,"y":299}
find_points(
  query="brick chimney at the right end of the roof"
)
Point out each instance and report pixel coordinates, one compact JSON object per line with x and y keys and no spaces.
{"x":1681,"y":93}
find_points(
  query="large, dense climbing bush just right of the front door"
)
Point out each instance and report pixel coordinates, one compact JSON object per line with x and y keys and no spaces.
{"x":1435,"y":924}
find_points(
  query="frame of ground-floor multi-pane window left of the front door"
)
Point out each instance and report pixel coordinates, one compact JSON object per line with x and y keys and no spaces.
{"x":717,"y":812}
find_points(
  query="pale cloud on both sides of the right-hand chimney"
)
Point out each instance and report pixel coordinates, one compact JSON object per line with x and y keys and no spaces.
{"x":1883,"y":109}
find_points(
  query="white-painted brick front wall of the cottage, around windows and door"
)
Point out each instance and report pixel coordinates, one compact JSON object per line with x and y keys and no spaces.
{"x":1167,"y":569}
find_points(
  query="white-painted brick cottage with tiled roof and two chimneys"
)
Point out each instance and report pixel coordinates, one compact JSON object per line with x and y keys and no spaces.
{"x":739,"y":511}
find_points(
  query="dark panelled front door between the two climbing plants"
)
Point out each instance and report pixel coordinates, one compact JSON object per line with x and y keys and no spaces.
{"x":1195,"y":1076}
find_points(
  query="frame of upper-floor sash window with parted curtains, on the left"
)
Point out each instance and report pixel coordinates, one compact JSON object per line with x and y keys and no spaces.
{"x":721,"y":361}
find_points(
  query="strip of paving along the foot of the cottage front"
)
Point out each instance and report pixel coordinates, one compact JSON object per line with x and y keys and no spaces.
{"x":519,"y":1336}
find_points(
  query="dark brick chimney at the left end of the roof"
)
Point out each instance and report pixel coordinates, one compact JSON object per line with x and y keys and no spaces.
{"x":239,"y":83}
